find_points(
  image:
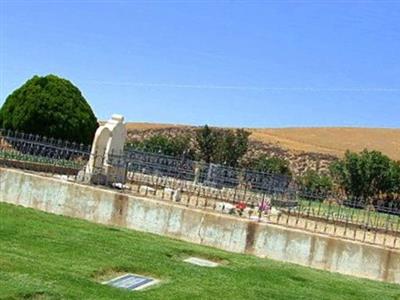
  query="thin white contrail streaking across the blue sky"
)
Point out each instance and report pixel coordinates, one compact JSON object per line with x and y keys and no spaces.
{"x":242,"y":87}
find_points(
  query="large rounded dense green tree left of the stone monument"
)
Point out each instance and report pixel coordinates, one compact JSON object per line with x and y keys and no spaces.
{"x":49,"y":106}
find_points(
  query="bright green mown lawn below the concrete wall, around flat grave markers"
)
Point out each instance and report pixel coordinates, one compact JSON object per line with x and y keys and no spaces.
{"x":44,"y":256}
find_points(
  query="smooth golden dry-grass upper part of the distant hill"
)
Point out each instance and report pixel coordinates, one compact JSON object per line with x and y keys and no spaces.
{"x":330,"y":140}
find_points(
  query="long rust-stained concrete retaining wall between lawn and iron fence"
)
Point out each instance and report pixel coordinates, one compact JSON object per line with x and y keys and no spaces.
{"x":199,"y":226}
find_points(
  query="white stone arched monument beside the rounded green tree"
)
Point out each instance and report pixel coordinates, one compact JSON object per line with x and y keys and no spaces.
{"x":104,"y":164}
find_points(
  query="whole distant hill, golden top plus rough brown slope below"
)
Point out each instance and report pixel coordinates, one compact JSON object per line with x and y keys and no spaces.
{"x":305,"y":148}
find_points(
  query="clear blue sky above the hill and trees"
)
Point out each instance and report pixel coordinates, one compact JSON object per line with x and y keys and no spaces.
{"x":225,"y":63}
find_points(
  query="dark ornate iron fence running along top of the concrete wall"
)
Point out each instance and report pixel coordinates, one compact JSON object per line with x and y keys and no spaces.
{"x":260,"y":196}
